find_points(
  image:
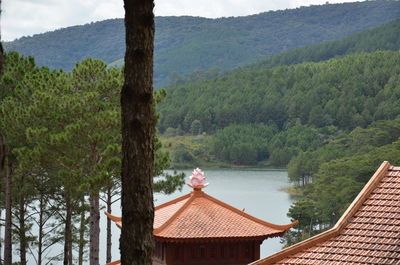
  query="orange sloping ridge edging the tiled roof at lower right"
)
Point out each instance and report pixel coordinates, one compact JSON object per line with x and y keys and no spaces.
{"x":351,"y":210}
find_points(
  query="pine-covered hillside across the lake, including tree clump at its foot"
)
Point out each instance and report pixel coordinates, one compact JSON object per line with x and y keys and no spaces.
{"x":300,"y":106}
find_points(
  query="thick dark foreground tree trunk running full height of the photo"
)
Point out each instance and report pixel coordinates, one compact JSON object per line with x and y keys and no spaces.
{"x":138,"y":121}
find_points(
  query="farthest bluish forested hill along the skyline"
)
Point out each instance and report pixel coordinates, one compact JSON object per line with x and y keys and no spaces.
{"x":184,"y":44}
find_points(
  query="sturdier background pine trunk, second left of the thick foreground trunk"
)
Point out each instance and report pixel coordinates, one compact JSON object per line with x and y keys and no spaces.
{"x":94,"y":229}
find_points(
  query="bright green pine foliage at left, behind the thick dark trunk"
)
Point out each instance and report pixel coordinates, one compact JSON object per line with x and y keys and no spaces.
{"x":70,"y":122}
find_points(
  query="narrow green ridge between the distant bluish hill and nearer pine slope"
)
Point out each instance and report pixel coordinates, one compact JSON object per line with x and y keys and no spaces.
{"x":385,"y":37}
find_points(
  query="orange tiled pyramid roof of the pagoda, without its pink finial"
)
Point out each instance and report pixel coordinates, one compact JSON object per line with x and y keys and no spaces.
{"x":199,"y":216}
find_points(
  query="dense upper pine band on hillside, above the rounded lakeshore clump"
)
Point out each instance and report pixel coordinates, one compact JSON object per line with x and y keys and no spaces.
{"x":346,"y":92}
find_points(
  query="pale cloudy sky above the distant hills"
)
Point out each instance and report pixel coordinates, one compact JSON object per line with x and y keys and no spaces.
{"x":28,"y":17}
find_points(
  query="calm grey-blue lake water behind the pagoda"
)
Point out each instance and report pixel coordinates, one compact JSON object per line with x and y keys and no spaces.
{"x":258,"y":191}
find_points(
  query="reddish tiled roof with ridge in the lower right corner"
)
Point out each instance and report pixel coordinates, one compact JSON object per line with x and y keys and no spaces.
{"x":367,"y":233}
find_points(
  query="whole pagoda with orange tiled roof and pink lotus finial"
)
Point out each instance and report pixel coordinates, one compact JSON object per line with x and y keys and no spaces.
{"x":198,"y":229}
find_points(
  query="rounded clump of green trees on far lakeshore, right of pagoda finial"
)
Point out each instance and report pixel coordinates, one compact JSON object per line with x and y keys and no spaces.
{"x":243,"y":144}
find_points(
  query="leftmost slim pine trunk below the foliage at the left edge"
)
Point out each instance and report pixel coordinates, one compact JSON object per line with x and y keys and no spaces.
{"x":8,"y":224}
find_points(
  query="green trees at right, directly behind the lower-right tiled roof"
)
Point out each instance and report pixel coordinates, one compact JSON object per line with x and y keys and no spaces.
{"x":338,"y":171}
